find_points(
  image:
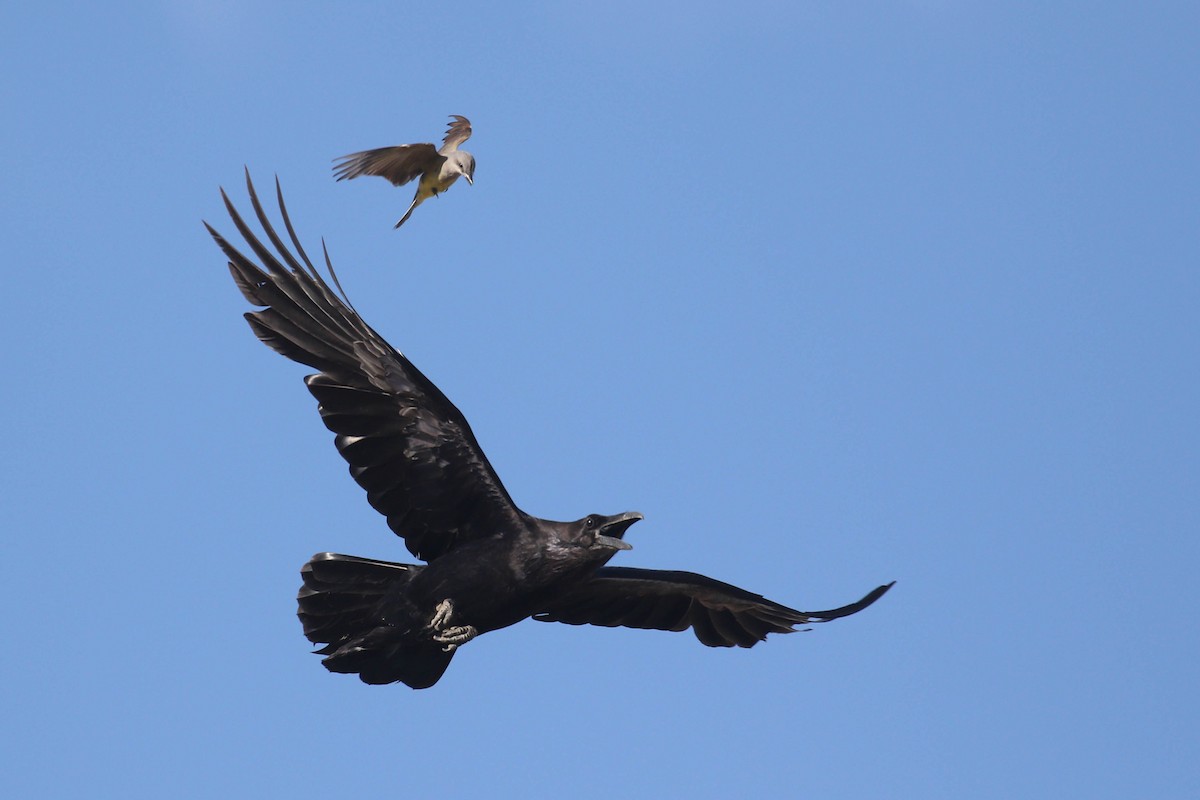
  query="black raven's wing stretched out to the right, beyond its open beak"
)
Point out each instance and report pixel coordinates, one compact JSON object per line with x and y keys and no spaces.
{"x":722,"y":616}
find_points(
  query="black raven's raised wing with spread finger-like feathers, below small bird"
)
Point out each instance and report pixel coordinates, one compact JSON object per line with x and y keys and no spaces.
{"x":407,"y":446}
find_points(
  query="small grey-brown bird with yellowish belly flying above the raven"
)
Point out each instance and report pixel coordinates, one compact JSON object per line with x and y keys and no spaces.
{"x":437,"y":169}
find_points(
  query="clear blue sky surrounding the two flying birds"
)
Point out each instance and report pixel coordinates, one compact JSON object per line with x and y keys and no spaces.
{"x":833,"y":293}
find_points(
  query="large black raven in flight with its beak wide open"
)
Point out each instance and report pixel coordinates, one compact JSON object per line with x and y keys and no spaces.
{"x":488,"y":563}
